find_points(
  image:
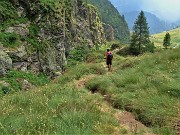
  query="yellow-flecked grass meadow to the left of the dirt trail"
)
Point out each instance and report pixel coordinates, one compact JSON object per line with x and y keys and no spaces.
{"x":55,"y":110}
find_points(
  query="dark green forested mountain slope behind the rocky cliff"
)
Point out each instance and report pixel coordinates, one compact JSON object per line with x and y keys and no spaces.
{"x":111,"y":16}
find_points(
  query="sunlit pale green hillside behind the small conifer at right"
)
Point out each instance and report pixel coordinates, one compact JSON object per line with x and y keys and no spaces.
{"x":175,"y":40}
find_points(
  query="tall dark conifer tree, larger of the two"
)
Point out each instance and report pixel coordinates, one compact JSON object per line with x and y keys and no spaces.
{"x":140,"y":41}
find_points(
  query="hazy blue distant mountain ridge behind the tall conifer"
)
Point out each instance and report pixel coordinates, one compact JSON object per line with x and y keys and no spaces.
{"x":131,"y":9}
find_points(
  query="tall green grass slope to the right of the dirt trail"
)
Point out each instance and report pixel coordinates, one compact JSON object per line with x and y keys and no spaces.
{"x":148,"y":86}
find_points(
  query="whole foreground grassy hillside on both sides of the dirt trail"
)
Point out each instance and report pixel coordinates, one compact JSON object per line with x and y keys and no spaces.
{"x":148,"y":86}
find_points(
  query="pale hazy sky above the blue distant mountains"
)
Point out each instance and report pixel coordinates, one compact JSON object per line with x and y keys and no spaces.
{"x":168,"y":10}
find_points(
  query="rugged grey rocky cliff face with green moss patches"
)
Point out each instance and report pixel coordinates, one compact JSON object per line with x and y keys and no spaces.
{"x":37,"y":35}
